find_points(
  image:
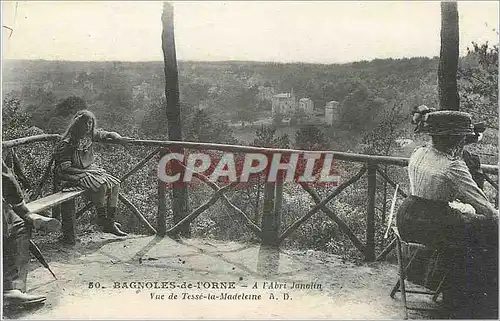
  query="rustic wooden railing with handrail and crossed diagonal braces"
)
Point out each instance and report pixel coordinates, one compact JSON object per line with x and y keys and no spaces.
{"x":270,"y":231}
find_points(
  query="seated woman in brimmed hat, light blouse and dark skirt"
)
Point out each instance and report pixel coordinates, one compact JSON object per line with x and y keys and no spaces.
{"x":439,"y":177}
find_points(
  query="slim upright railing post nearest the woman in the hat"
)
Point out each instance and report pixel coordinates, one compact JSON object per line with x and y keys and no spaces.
{"x":370,"y":213}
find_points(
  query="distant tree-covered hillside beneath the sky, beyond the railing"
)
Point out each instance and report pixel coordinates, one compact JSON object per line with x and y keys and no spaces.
{"x":125,"y":94}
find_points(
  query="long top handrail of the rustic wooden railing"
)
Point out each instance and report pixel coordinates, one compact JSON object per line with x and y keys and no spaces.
{"x":353,"y":157}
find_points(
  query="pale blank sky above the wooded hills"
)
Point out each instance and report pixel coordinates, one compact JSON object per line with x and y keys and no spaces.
{"x":281,"y":31}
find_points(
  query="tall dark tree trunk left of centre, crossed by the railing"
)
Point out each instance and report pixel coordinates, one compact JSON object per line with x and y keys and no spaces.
{"x":179,"y":190}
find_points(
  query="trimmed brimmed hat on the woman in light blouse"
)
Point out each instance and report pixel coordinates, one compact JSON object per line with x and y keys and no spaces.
{"x":443,"y":122}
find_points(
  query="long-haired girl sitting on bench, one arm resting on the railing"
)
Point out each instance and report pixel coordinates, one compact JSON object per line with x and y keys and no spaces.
{"x":74,"y":167}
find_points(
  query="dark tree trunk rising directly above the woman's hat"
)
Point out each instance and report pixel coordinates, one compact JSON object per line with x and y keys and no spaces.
{"x":448,"y":60}
